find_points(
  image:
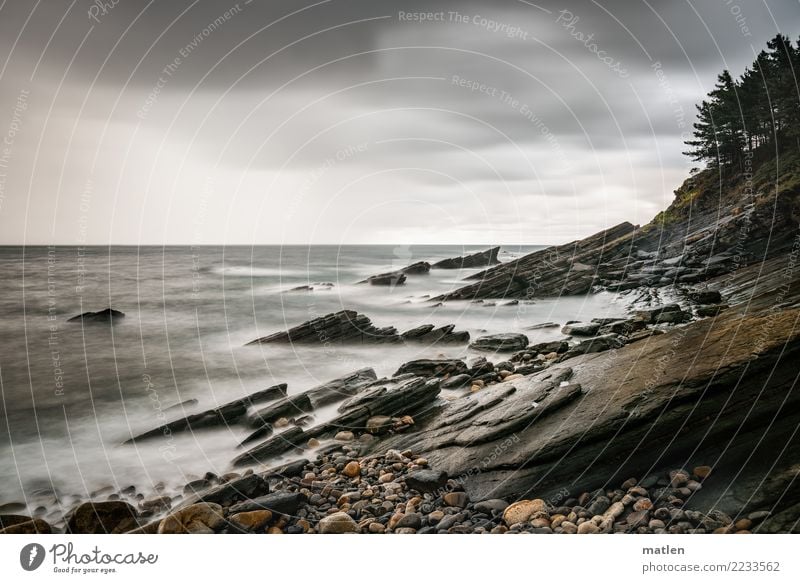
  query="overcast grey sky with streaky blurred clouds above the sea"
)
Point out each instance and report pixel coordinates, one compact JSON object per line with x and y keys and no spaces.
{"x":347,"y":122}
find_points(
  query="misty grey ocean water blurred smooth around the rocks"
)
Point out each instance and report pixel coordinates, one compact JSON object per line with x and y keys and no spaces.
{"x":71,"y":393}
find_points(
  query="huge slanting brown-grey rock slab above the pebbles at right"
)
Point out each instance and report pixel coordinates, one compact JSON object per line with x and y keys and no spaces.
{"x":641,"y":394}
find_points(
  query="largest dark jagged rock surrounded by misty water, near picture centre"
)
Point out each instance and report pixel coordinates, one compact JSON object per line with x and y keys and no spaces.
{"x":343,"y":326}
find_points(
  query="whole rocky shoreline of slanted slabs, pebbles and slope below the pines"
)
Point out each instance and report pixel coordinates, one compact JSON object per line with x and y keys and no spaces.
{"x":677,"y":418}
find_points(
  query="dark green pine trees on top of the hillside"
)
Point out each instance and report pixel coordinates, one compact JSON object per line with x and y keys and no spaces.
{"x":758,"y":111}
